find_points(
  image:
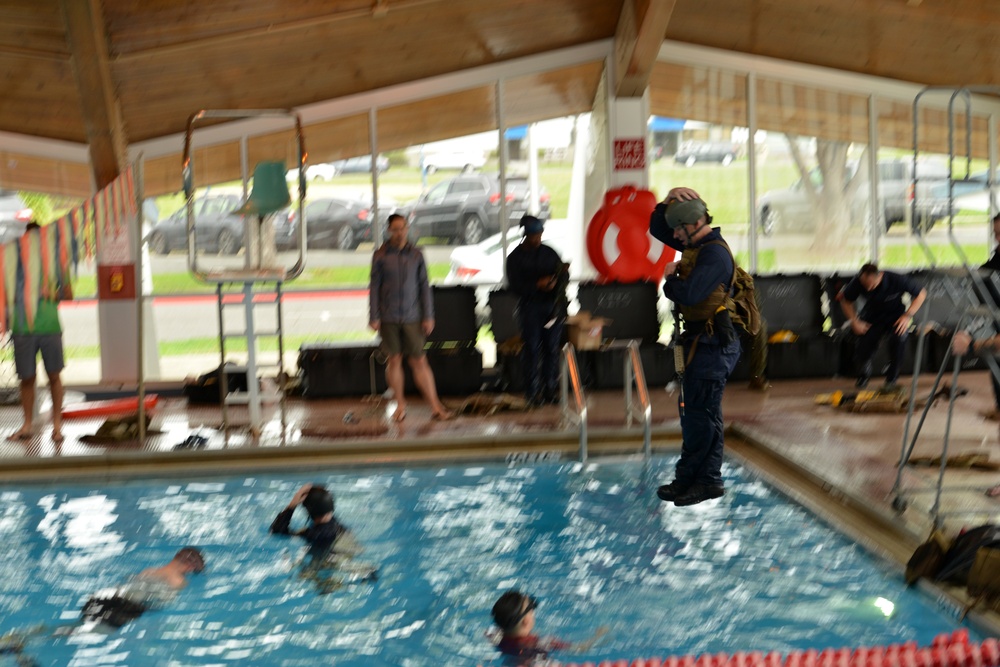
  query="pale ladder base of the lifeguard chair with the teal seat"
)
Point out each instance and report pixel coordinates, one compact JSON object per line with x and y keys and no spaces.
{"x":248,"y":301}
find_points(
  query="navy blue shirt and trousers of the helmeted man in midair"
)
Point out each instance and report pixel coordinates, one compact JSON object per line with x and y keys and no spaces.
{"x":706,"y":373}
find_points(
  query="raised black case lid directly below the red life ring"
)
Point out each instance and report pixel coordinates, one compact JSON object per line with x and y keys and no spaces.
{"x":631,"y":307}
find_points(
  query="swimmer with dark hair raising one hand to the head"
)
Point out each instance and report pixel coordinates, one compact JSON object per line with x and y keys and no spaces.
{"x":331,"y":544}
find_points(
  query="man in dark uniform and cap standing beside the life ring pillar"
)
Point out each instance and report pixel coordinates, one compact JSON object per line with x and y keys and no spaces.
{"x":538,"y":277}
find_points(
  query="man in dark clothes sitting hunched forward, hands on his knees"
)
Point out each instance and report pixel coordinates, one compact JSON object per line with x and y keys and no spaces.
{"x":883,"y":315}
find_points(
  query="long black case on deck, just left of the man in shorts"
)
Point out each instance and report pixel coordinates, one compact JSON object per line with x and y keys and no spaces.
{"x":330,"y":370}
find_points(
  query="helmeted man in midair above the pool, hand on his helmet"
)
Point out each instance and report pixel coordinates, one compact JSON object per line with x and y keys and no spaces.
{"x":699,"y":285}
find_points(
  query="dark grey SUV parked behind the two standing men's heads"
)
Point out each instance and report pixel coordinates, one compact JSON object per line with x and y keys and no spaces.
{"x":466,"y":208}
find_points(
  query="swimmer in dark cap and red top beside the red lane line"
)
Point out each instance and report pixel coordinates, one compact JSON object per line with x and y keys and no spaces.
{"x":514,"y":614}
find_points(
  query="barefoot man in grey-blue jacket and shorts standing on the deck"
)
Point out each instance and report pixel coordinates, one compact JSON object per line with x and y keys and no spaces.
{"x":401,"y":310}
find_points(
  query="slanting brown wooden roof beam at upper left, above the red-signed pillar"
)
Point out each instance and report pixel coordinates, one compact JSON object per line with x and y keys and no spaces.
{"x":98,"y":100}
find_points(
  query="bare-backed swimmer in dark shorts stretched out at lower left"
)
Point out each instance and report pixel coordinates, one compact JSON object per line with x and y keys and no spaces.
{"x":109,"y":610}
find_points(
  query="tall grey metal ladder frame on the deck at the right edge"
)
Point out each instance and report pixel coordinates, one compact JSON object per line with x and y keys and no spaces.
{"x":972,"y":293}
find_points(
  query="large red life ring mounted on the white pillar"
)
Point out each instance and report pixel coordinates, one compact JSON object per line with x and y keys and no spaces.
{"x":618,"y":241}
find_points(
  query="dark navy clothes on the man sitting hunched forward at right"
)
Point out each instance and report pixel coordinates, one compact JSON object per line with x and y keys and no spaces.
{"x":883,"y":306}
